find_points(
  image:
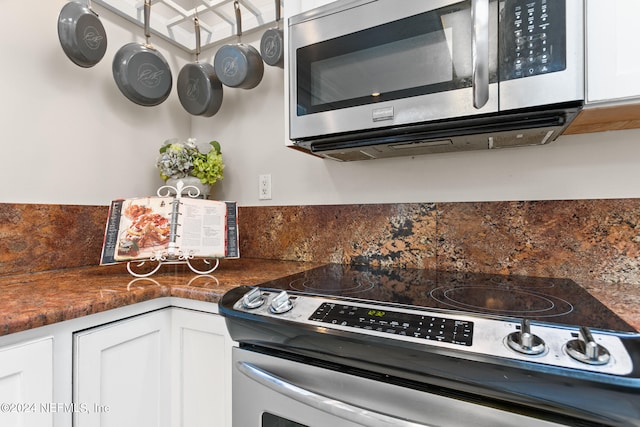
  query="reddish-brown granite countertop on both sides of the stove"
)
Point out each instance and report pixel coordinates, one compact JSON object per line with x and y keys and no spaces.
{"x":31,"y":300}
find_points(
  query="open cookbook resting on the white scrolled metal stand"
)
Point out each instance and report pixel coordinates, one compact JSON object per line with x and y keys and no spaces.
{"x":153,"y":227}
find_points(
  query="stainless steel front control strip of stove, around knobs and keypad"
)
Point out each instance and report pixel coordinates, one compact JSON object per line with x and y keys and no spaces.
{"x":489,"y":337}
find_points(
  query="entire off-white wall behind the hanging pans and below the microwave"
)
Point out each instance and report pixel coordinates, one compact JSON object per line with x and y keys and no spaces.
{"x":70,"y":137}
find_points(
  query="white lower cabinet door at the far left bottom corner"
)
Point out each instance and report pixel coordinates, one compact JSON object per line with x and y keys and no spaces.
{"x":26,"y":384}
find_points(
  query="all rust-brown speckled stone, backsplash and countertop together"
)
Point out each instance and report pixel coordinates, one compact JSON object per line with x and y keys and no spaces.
{"x":593,"y":242}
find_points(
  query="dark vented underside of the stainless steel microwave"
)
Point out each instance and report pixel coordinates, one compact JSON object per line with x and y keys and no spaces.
{"x":517,"y":128}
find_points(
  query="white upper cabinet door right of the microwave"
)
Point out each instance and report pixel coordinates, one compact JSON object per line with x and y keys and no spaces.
{"x":613,"y":63}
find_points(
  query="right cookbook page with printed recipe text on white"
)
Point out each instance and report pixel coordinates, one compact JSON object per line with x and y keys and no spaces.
{"x":202,"y":228}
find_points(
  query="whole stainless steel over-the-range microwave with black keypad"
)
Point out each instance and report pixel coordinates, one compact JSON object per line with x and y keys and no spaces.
{"x":380,"y":78}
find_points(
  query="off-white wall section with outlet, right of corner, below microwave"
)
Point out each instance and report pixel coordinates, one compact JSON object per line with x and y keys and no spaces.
{"x":601,"y":165}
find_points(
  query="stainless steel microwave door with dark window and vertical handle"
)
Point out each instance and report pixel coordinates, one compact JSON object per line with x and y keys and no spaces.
{"x":387,"y":63}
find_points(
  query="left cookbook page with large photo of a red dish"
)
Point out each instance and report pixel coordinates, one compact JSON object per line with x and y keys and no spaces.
{"x":144,"y":229}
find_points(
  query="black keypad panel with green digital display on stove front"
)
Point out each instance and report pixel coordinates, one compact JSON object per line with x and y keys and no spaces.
{"x":406,"y":324}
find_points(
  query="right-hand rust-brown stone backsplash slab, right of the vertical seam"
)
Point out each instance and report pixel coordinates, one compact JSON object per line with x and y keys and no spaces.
{"x":584,"y":240}
